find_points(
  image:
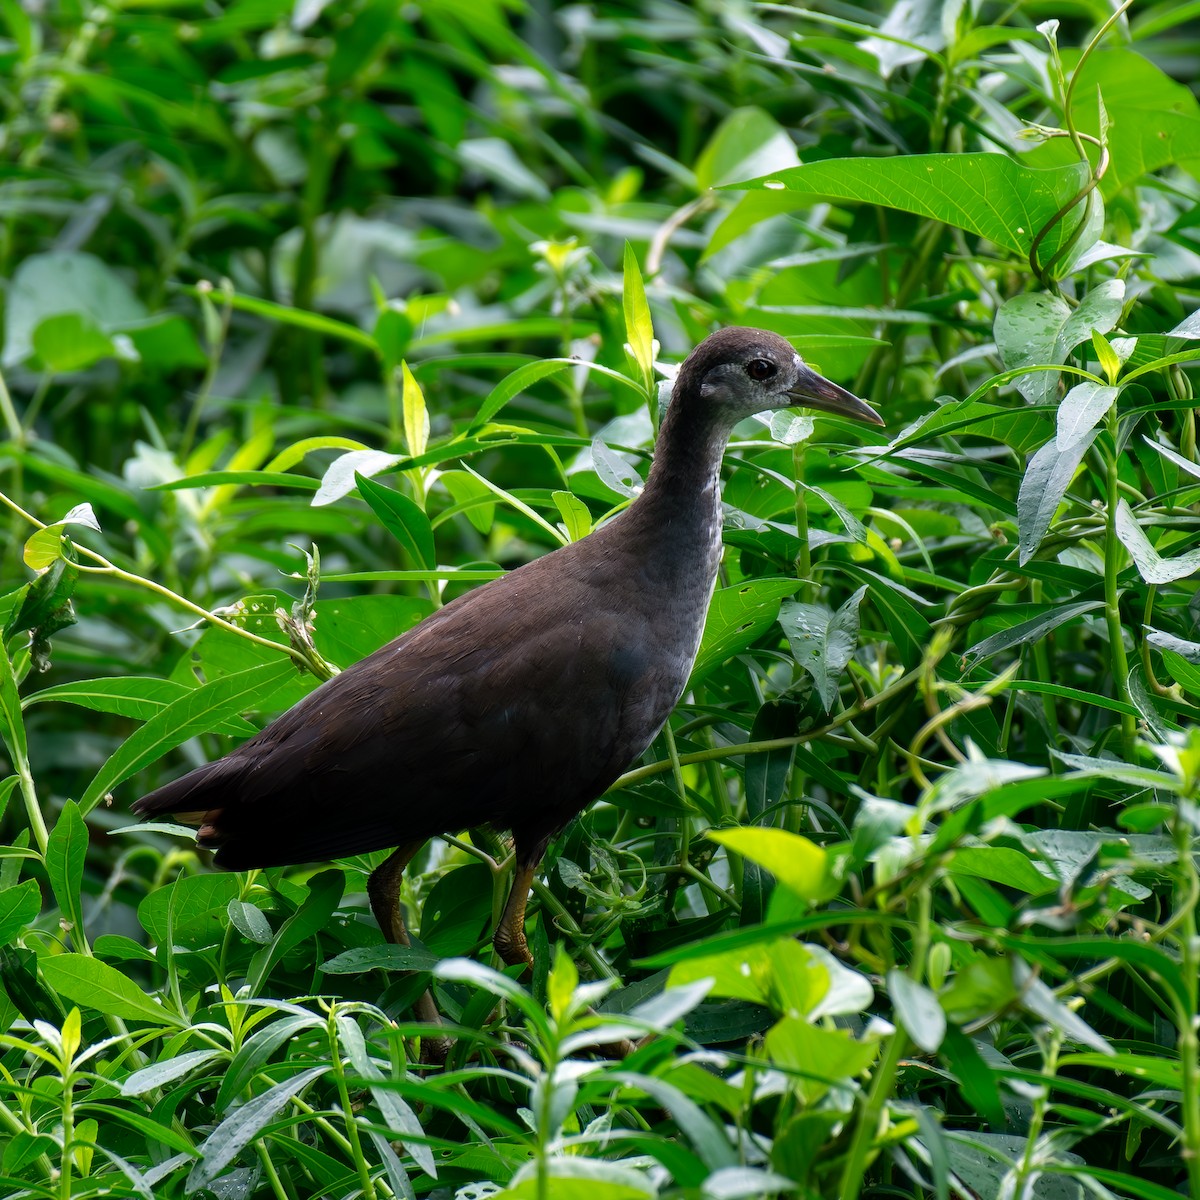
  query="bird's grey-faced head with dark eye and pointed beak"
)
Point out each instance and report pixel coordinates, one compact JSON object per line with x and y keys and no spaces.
{"x":737,"y":373}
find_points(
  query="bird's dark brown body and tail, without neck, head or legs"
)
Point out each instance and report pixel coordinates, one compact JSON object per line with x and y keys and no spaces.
{"x":514,"y":706}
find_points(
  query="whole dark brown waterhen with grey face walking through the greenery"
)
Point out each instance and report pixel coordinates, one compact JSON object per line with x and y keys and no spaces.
{"x":521,"y":703}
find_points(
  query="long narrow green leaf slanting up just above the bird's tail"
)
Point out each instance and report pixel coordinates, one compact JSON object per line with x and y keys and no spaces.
{"x":199,"y":712}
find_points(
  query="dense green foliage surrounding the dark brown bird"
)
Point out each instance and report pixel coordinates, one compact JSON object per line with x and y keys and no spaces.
{"x":319,"y":315}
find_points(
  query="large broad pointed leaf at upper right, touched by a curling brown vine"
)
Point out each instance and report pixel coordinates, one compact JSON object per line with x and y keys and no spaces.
{"x":989,"y":195}
